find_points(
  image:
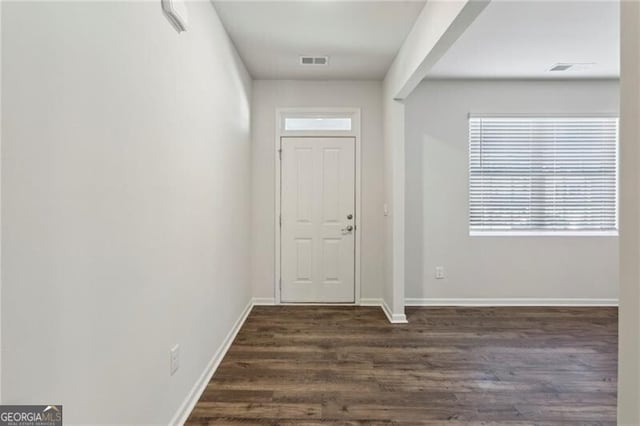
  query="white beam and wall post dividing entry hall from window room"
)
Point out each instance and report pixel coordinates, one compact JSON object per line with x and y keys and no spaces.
{"x":437,"y":27}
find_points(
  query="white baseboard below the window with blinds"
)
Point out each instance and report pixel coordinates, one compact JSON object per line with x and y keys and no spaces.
{"x":510,"y":302}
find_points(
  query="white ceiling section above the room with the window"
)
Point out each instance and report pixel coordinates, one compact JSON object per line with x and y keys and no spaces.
{"x":524,"y":38}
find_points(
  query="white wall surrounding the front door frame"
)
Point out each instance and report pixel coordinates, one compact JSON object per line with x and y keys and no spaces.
{"x":269,"y":95}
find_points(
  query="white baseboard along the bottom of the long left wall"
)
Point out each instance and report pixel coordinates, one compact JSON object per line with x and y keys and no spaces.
{"x":194,"y":395}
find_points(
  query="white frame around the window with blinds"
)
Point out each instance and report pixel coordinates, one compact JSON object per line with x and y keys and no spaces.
{"x":545,"y":232}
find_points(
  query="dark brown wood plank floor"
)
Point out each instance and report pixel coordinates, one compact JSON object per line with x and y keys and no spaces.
{"x":306,"y":365}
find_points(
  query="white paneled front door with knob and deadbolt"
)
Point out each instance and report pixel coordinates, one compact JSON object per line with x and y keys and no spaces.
{"x":318,"y":219}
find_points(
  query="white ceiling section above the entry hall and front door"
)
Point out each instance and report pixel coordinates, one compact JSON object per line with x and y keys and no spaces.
{"x":360,"y":37}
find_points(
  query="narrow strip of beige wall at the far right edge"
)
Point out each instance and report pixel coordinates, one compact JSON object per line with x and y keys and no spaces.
{"x":629,"y":312}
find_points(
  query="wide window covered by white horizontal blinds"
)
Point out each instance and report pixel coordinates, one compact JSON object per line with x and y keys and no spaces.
{"x":543,"y":175}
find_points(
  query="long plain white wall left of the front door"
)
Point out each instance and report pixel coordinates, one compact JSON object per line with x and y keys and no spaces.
{"x":125,"y":204}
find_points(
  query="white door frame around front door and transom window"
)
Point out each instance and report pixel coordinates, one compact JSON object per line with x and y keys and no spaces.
{"x":281,"y":113}
